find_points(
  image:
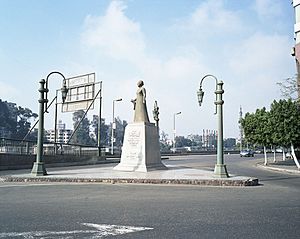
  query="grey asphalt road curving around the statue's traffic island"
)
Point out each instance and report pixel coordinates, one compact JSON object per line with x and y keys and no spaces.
{"x":271,"y":210}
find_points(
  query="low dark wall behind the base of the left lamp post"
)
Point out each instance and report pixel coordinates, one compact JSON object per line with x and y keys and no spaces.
{"x":17,"y":161}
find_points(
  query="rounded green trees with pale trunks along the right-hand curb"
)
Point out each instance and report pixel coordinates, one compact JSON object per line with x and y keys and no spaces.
{"x":279,"y":127}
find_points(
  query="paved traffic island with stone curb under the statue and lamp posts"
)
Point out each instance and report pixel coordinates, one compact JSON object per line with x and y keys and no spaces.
{"x":172,"y":176}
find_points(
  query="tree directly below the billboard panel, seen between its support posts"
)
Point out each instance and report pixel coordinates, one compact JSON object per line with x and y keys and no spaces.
{"x":82,"y":135}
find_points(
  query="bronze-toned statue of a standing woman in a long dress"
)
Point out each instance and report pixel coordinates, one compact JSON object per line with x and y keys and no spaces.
{"x":140,"y":108}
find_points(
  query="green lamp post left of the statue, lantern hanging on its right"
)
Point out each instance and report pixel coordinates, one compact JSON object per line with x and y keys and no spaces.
{"x":38,"y":168}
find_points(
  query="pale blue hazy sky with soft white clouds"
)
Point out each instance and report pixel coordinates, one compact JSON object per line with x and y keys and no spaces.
{"x":170,"y":44}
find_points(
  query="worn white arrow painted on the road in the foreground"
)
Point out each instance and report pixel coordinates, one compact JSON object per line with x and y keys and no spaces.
{"x":100,"y":231}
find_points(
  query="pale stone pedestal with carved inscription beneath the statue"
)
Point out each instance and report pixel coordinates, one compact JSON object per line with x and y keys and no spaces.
{"x":141,"y":151}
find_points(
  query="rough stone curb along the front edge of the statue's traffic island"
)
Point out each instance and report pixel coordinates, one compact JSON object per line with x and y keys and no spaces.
{"x":200,"y":182}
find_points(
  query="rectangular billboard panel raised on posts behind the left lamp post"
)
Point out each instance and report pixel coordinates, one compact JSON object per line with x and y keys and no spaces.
{"x":81,"y":93}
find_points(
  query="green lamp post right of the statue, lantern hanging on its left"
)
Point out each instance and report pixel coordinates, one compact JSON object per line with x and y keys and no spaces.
{"x":220,"y":167}
